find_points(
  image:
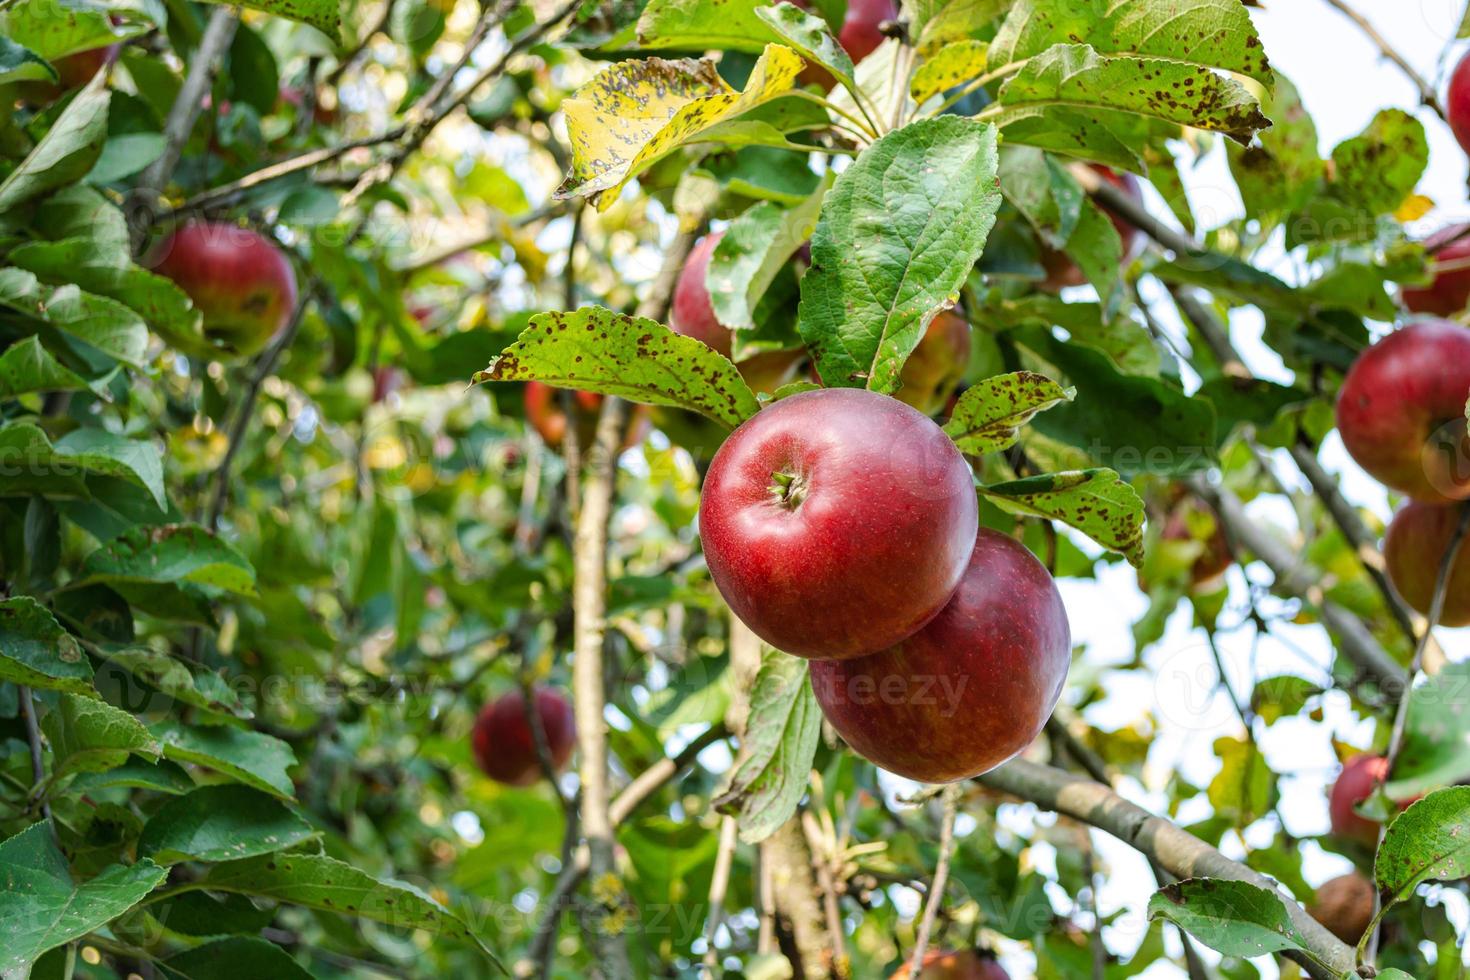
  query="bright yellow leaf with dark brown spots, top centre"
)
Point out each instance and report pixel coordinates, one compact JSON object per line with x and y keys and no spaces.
{"x":636,"y":112}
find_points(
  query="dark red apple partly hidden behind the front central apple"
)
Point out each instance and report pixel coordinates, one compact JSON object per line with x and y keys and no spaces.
{"x":971,"y":690}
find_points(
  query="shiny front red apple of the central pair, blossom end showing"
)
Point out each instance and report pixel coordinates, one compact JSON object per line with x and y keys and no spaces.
{"x":870,"y":543}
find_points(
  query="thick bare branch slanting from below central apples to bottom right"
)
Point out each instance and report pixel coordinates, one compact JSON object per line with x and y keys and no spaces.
{"x":1177,"y":850}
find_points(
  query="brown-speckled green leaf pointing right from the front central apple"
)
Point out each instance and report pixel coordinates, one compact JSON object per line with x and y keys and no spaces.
{"x":1094,"y":502}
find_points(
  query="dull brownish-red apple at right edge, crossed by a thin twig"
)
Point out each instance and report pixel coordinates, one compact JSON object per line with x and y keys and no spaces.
{"x":1415,"y":547}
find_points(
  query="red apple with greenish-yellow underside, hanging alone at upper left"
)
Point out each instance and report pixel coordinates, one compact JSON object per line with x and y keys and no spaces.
{"x":236,"y":277}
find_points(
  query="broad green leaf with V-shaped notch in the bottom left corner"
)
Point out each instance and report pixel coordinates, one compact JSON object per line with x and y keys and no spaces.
{"x":43,"y":909}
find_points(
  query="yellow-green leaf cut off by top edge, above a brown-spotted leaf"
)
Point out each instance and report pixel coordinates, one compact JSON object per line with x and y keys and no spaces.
{"x":1202,"y":33}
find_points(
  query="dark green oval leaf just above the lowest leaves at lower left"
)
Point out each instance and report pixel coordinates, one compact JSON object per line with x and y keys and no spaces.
{"x":221,"y":824}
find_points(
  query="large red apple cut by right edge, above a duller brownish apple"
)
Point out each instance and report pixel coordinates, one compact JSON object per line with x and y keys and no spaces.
{"x":1402,"y":411}
